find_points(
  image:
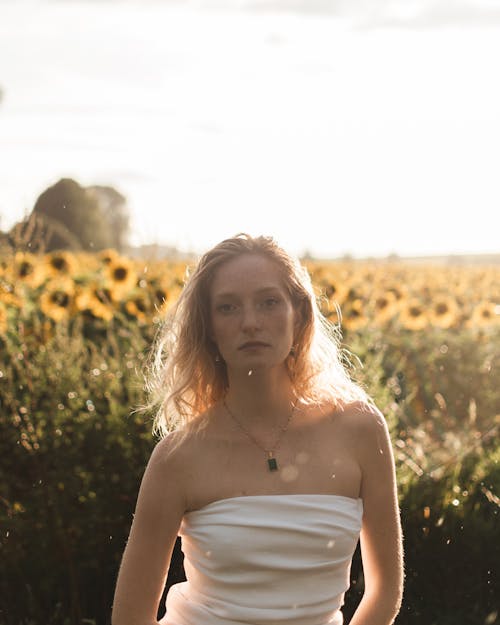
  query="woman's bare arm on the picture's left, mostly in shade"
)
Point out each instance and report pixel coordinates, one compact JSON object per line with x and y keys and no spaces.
{"x":146,"y":559}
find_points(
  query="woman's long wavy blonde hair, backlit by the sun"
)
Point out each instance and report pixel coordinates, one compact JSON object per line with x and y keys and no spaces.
{"x":185,"y":378}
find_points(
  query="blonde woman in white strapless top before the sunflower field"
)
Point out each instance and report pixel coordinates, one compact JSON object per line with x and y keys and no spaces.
{"x":272,"y":464}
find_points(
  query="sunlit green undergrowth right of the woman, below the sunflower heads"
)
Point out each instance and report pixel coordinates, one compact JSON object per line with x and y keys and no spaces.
{"x":444,"y":423}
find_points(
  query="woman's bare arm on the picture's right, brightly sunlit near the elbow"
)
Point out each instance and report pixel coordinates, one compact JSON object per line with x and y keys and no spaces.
{"x":381,"y":537}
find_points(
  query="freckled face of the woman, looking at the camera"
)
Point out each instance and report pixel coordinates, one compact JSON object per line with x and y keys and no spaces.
{"x":252,"y":317}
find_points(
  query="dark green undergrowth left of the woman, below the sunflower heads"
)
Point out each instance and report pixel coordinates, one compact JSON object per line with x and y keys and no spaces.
{"x":72,"y":456}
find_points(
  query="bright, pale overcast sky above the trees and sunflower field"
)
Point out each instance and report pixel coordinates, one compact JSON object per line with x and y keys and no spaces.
{"x":337,"y":127}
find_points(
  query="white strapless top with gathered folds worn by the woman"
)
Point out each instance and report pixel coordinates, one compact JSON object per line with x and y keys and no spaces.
{"x":266,"y":559}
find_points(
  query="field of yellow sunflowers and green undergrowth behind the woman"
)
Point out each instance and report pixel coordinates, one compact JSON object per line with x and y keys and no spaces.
{"x":75,"y":330}
